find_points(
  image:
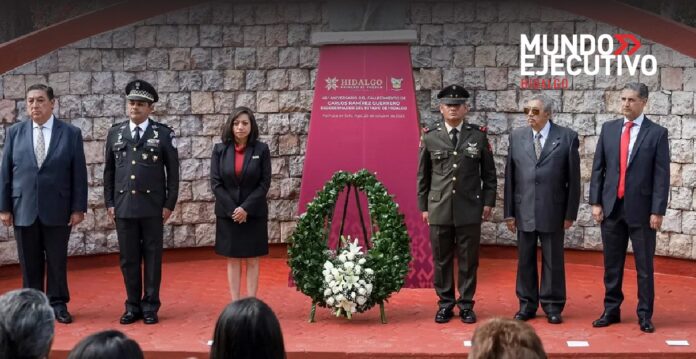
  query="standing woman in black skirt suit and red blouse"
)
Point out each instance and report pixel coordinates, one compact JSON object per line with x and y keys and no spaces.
{"x":240,"y":174}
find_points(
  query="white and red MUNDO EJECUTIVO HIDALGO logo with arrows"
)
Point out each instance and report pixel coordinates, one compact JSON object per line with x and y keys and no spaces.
{"x":547,"y":60}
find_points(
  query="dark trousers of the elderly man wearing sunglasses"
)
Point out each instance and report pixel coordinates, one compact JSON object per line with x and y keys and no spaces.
{"x":552,"y":293}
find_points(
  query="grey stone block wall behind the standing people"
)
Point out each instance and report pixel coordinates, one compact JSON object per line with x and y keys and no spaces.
{"x":207,"y":59}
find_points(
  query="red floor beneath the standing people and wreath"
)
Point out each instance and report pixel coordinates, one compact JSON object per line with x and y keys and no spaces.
{"x":194,"y":292}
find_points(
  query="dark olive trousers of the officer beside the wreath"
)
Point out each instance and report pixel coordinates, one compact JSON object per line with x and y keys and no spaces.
{"x":464,"y":242}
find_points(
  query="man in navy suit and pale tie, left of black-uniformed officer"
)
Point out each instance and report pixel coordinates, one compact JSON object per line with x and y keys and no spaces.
{"x":43,"y":192}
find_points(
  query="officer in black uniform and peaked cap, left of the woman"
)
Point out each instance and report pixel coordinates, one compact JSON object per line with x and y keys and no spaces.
{"x":141,"y":185}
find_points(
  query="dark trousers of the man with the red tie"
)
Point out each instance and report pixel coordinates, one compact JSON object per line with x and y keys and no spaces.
{"x":615,"y":235}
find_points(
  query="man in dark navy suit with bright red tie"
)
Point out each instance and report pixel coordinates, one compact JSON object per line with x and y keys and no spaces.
{"x":629,"y":193}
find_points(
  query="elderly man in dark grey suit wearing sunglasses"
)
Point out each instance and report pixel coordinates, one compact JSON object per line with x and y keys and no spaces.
{"x":542,"y":195}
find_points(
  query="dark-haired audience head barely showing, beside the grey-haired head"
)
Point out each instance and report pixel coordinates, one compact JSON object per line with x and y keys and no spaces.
{"x":109,"y":344}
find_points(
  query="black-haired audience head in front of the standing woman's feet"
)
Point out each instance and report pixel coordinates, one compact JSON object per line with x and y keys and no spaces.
{"x":247,"y":328}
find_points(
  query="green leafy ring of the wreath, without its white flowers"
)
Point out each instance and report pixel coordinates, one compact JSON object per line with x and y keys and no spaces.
{"x":388,"y":256}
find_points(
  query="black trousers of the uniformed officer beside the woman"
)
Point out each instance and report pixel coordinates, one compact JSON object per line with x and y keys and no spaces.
{"x":140,"y":241}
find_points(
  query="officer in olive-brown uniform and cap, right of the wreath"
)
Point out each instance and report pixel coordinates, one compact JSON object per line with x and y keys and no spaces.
{"x":456,"y":191}
